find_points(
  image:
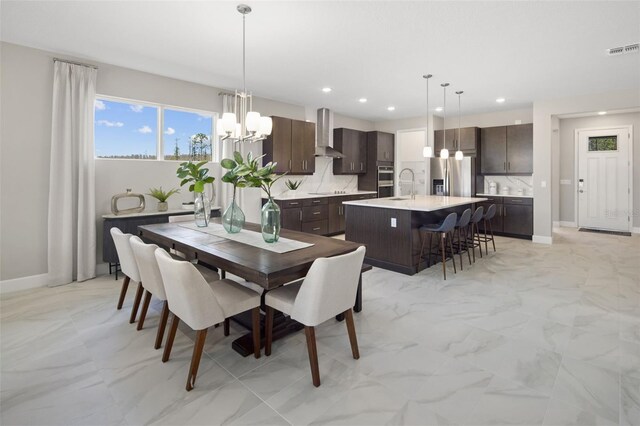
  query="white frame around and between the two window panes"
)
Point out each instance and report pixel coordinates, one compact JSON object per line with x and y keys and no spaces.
{"x":160,"y":126}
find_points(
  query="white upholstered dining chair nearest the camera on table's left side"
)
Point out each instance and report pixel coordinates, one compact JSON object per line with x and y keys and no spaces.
{"x":201,"y":304}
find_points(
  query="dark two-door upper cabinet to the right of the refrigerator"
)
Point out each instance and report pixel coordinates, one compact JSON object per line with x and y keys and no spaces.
{"x":507,"y":149}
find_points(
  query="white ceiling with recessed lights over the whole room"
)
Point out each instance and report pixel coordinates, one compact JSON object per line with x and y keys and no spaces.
{"x":522,"y":51}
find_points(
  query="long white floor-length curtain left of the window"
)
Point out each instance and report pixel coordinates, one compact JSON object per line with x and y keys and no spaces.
{"x":71,"y":220}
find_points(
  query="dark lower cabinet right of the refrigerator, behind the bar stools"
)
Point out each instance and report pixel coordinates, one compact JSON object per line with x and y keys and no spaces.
{"x":514,"y":216}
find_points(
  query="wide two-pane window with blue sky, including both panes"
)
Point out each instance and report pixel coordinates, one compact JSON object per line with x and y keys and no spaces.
{"x":127,"y":129}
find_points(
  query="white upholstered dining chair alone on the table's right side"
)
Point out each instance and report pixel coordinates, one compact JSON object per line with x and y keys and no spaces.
{"x":328,"y":289}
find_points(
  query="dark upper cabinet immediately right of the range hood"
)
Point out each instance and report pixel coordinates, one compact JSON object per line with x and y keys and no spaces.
{"x":353,"y":145}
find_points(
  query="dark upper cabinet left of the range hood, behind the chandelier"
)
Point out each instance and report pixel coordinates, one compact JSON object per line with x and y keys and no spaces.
{"x":292,"y":145}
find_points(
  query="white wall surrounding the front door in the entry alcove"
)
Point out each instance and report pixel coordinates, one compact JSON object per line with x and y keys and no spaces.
{"x":567,"y":166}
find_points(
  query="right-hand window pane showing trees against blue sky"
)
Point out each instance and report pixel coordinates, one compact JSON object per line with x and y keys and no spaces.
{"x":187,"y":135}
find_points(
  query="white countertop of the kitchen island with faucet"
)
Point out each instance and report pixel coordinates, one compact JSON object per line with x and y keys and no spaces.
{"x":424,"y":203}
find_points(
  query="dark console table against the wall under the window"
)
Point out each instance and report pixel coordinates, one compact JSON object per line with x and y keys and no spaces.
{"x":128,"y":223}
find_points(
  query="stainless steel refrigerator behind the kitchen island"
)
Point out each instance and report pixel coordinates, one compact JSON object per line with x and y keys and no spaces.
{"x":455,"y":178}
